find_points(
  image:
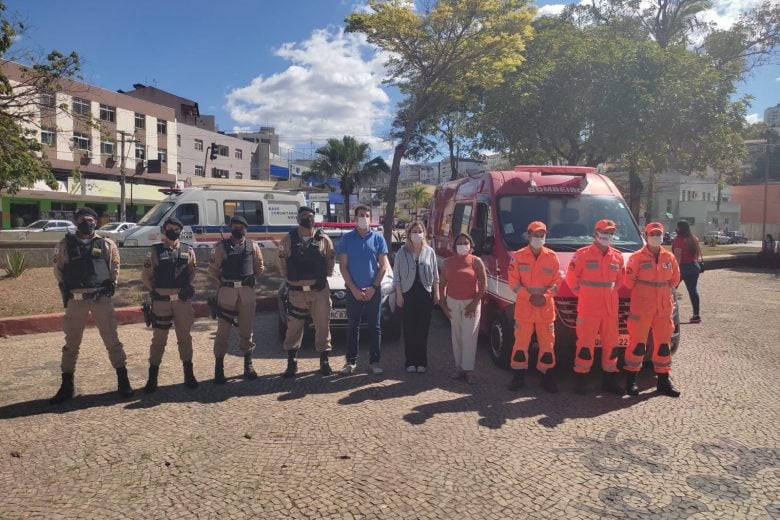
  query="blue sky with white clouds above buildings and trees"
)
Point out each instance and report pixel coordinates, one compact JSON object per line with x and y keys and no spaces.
{"x":251,"y":63}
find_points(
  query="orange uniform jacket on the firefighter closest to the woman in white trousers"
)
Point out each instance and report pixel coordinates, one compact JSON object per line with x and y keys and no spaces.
{"x":529,"y":274}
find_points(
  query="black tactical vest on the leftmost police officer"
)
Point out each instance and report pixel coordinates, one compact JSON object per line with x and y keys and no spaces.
{"x":87,"y":265}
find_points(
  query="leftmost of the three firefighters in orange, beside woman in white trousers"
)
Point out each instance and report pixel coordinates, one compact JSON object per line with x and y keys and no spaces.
{"x":534,"y":274}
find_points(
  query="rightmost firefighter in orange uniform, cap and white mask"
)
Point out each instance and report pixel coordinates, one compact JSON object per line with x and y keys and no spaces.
{"x":651,"y":274}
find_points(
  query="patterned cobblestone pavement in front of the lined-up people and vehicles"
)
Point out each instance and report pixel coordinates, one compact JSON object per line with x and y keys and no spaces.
{"x":402,"y":445}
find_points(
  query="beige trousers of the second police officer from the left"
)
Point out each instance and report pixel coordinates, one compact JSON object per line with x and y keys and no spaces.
{"x":182,"y":315}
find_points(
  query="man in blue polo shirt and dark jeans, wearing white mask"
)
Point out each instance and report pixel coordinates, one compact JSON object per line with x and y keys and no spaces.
{"x":362,"y":256}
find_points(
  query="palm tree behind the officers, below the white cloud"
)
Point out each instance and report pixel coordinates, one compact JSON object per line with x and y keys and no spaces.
{"x":346,"y":159}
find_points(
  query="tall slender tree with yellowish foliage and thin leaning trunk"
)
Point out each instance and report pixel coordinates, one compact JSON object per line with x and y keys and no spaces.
{"x":439,"y":54}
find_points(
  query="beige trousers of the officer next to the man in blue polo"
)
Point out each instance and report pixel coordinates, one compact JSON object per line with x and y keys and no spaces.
{"x":317,"y":304}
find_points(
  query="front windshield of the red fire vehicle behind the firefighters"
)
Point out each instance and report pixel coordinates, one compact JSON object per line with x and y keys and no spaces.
{"x":570,"y":220}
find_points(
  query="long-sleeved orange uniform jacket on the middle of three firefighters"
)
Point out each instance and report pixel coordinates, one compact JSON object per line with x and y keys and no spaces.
{"x":594,"y":277}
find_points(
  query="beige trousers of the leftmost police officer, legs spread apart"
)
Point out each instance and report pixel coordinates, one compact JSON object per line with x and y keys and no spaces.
{"x":102,"y":309}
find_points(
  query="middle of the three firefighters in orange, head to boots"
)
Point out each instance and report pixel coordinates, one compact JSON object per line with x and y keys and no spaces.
{"x":594,"y":274}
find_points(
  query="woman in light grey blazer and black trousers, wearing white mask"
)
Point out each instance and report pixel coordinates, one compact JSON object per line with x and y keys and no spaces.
{"x":416,"y":283}
